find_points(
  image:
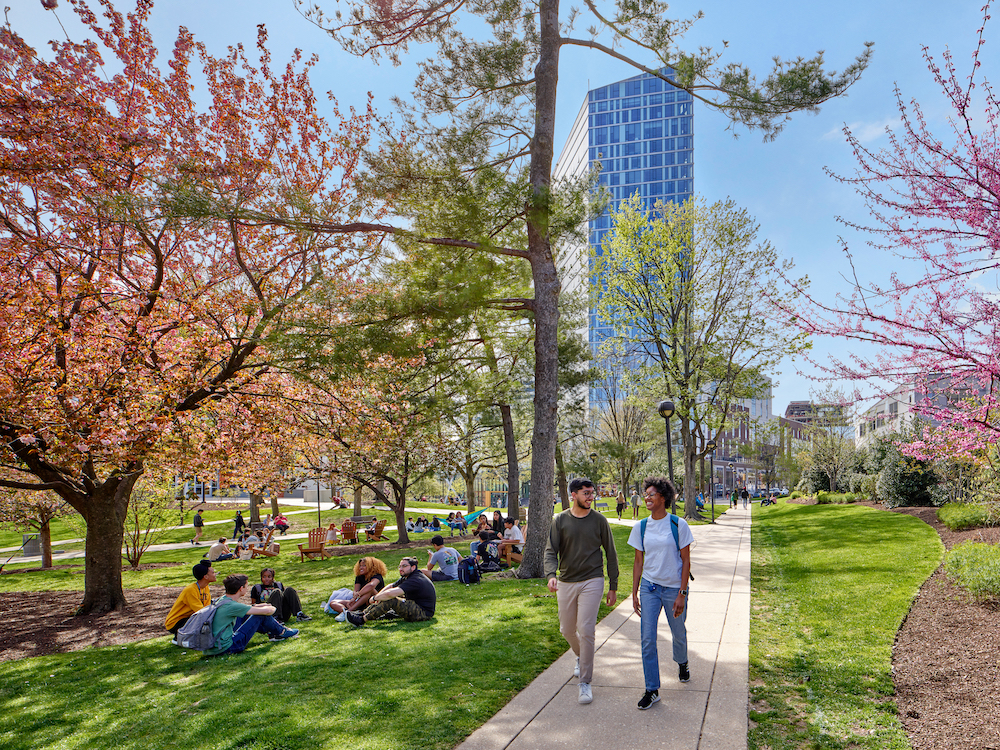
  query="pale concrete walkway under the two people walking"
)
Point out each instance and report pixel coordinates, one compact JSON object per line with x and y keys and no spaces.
{"x":707,"y":713}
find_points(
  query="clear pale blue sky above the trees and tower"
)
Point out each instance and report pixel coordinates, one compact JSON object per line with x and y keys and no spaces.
{"x":781,"y":183}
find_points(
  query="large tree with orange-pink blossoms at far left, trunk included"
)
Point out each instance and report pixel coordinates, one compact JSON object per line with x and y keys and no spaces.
{"x":136,"y":287}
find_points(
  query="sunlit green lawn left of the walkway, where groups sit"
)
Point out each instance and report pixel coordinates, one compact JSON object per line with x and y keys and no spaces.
{"x":391,"y":685}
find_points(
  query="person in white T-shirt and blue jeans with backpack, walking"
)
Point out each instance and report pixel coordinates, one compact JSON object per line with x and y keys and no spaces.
{"x":659,"y":581}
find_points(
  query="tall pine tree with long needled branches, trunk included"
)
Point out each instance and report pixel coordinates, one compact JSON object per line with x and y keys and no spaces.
{"x":484,"y":115}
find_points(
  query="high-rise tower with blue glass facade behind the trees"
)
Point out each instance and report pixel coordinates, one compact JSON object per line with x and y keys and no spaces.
{"x":641,"y":131}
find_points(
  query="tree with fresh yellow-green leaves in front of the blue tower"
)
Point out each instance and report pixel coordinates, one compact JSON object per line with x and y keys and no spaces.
{"x":681,"y":292}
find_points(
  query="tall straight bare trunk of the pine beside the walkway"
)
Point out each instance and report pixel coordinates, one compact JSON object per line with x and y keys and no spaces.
{"x":545,"y":279}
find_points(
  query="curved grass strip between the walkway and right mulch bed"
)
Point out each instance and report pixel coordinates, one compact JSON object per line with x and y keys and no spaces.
{"x":831,"y":586}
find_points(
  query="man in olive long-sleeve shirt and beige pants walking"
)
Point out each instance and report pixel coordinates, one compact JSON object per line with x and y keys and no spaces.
{"x":574,"y":549}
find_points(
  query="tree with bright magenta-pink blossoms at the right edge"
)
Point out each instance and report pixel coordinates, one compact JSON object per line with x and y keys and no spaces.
{"x":934,"y":201}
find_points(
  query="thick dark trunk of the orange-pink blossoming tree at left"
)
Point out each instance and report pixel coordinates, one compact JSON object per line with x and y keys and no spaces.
{"x":105,"y":531}
